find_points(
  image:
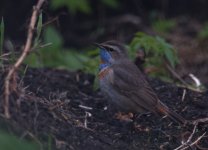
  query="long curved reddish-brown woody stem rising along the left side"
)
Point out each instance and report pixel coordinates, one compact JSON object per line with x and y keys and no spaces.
{"x":25,"y":52}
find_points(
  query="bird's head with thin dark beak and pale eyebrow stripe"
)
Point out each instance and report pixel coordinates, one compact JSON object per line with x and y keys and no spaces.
{"x":111,"y":51}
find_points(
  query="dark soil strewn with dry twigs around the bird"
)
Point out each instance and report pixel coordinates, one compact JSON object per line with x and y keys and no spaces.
{"x":47,"y":105}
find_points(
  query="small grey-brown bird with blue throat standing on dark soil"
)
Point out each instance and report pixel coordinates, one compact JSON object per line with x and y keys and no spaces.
{"x":122,"y":81}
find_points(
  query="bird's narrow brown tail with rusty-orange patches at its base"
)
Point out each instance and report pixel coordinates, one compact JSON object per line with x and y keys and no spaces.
{"x":161,"y":108}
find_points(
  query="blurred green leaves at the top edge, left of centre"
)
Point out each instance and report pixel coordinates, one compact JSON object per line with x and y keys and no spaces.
{"x":72,"y":5}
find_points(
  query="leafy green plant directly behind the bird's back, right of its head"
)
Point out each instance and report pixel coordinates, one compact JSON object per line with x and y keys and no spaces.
{"x":157,"y":51}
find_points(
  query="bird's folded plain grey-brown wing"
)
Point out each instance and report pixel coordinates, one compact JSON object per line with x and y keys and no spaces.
{"x":129,"y":81}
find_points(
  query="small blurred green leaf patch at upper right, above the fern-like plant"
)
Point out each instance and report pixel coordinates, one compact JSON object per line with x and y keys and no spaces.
{"x":163,"y":26}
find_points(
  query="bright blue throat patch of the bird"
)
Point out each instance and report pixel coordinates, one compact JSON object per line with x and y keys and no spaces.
{"x":105,"y":58}
